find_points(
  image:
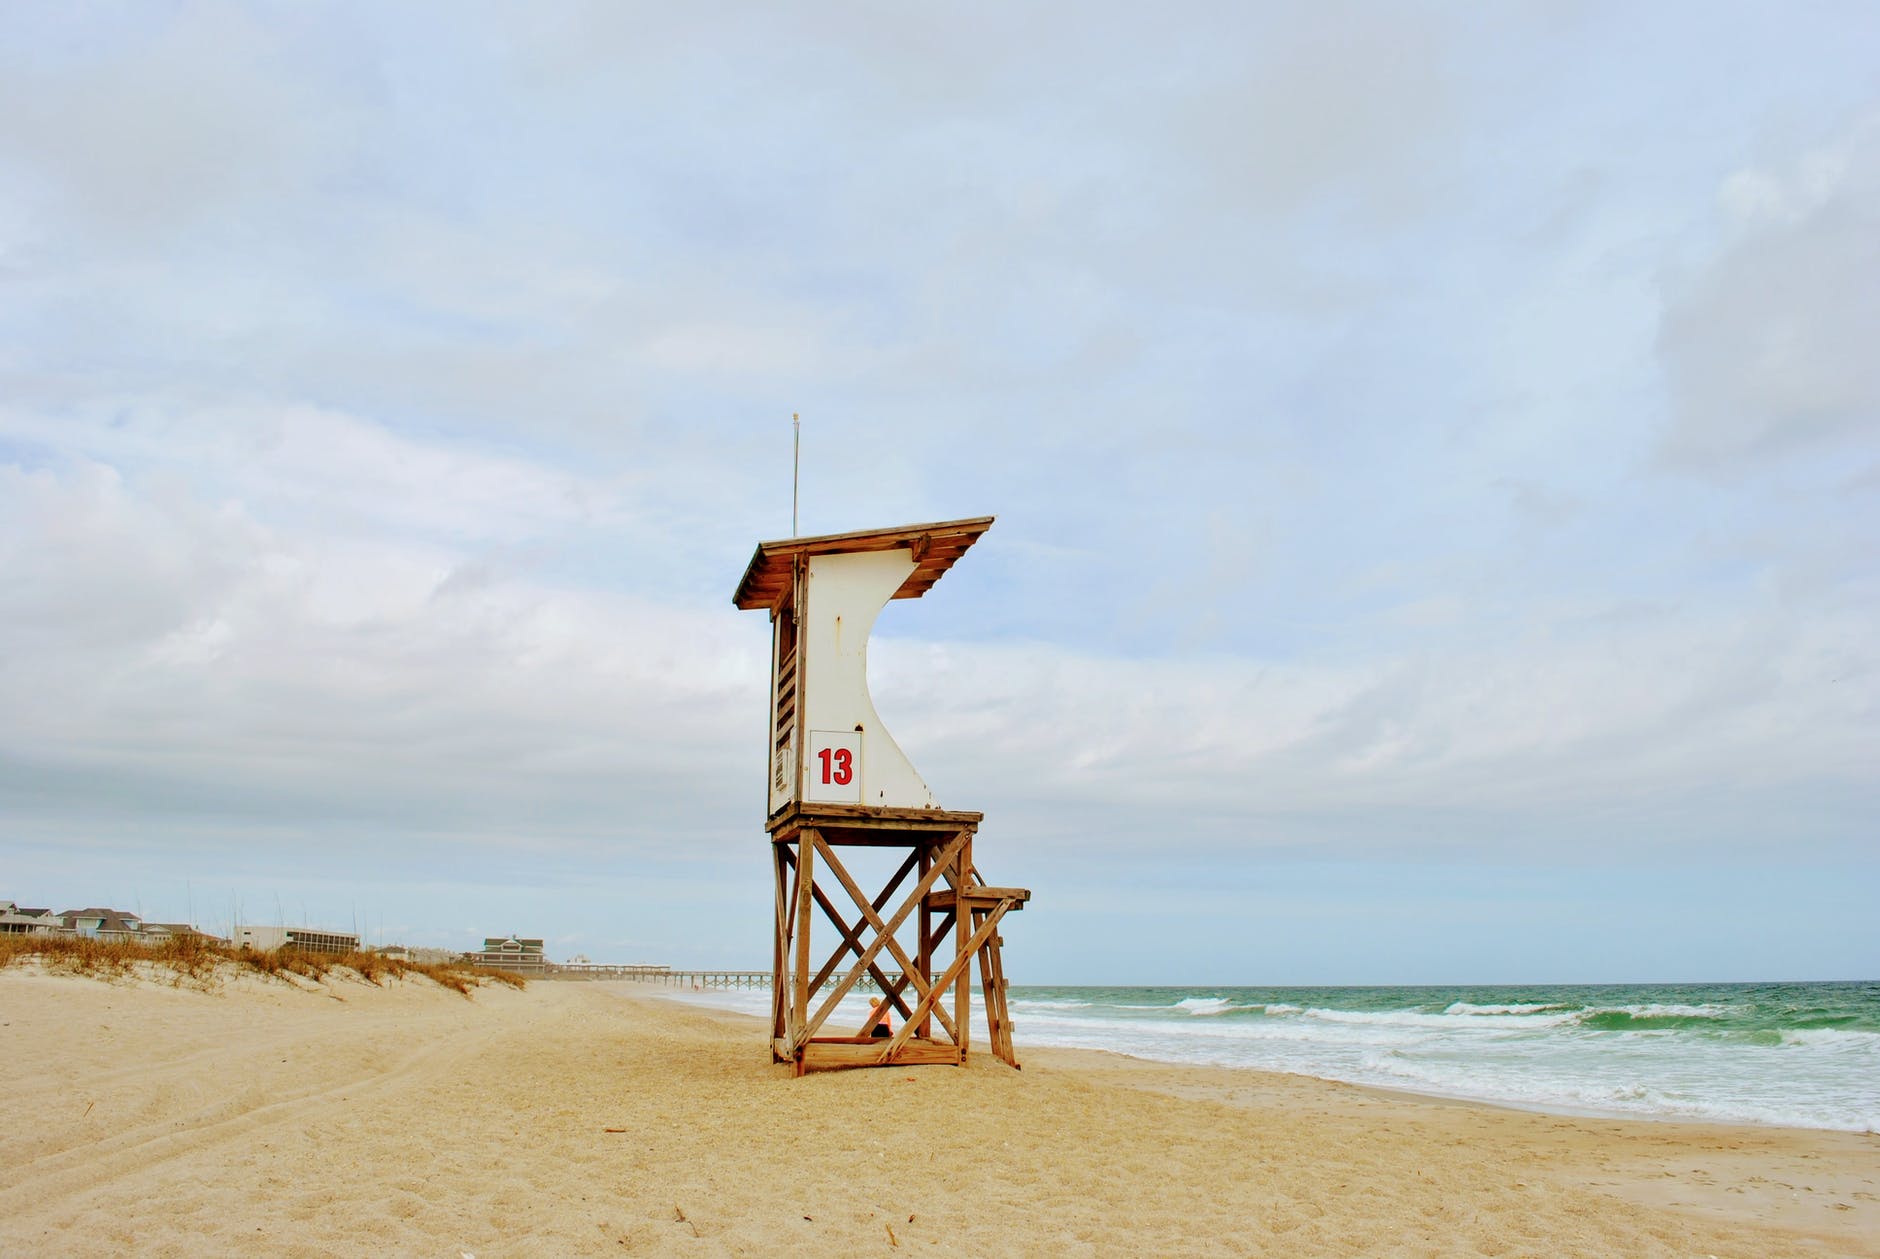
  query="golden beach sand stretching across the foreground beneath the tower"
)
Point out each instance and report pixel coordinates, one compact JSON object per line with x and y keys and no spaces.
{"x":597,"y":1119}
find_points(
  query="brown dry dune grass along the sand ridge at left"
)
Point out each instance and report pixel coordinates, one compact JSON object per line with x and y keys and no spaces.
{"x":196,"y":959}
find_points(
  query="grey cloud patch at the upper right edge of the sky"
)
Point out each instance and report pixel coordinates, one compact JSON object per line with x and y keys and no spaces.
{"x":1768,"y":347}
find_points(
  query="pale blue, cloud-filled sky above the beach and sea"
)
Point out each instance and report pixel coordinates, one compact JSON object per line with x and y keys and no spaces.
{"x":1435,"y":452}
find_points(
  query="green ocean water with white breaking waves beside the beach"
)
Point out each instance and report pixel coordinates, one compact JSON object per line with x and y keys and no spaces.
{"x":1802,"y":1055}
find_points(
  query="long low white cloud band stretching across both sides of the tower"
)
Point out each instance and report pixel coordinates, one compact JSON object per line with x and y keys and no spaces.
{"x":219,"y":653}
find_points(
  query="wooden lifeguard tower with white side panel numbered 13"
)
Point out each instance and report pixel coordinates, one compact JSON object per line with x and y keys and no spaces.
{"x":838,"y":781}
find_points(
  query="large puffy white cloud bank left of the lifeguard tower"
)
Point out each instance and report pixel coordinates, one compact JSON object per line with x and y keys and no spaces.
{"x":181,"y":655}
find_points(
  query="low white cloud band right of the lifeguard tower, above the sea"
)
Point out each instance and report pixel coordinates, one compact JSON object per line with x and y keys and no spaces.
{"x":1514,"y":741}
